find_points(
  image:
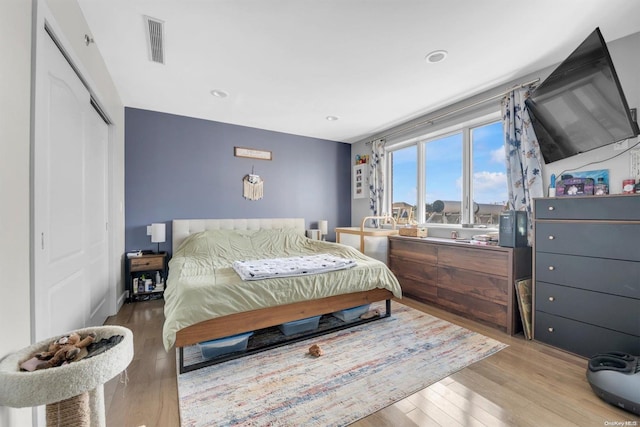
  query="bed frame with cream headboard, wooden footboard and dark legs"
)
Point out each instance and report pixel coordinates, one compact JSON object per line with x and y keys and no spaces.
{"x":266,"y":317}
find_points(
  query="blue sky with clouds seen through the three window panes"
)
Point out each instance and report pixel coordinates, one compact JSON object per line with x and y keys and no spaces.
{"x":444,"y":168}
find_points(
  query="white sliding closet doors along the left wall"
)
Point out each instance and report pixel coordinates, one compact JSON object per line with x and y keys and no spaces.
{"x":70,"y":236}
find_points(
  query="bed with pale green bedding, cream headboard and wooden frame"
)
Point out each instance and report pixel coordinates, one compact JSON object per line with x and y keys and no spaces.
{"x":205,"y":298}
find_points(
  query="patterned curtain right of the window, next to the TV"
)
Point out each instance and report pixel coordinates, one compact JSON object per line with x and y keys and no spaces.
{"x":523,"y":156}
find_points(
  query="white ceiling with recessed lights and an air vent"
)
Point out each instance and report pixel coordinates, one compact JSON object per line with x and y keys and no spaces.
{"x":288,"y":64}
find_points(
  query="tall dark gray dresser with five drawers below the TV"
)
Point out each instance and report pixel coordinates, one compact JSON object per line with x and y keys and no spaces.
{"x":587,"y":273}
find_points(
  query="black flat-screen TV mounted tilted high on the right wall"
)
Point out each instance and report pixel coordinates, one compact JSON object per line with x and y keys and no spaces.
{"x":581,"y":106}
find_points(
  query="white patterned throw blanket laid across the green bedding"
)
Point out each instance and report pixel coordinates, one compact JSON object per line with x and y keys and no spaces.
{"x":293,"y":266}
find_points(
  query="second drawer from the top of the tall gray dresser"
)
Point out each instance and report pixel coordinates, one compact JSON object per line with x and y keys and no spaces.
{"x":594,"y":239}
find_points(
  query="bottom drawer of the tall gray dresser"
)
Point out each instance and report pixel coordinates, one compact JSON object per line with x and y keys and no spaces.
{"x":581,"y":338}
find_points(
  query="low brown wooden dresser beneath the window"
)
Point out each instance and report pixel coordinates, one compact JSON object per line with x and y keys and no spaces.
{"x":471,"y":280}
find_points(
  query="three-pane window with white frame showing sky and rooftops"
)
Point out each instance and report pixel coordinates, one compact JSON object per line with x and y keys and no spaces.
{"x":455,"y":176}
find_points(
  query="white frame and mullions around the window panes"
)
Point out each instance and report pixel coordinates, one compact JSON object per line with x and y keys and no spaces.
{"x":420,"y":142}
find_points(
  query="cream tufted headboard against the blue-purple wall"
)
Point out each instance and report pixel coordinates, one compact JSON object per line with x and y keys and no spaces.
{"x":182,"y":228}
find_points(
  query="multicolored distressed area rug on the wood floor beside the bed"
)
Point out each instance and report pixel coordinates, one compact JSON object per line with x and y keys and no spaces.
{"x":364,"y":369}
